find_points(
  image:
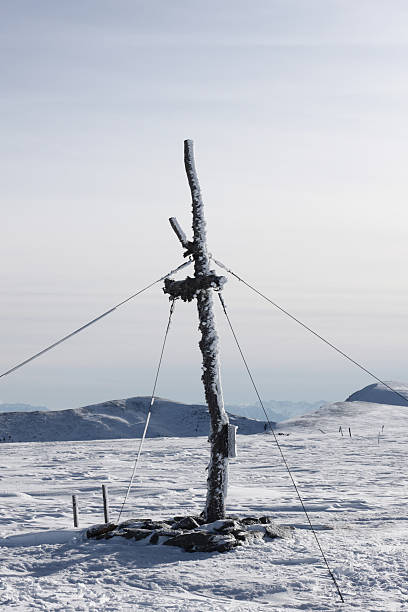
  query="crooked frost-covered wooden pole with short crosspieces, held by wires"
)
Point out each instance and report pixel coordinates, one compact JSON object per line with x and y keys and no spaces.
{"x":201,"y":287}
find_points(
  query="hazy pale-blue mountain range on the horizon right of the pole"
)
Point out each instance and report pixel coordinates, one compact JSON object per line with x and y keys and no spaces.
{"x":276,"y":410}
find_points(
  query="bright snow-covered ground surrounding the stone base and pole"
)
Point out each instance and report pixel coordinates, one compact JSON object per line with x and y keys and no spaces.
{"x":357,"y":486}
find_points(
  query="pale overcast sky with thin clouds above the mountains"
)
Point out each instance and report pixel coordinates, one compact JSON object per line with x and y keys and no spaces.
{"x":298,"y":114}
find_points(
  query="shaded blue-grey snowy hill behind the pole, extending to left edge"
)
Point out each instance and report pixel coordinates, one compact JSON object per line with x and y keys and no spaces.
{"x":123,"y":418}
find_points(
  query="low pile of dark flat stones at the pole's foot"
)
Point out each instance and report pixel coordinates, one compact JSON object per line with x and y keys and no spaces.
{"x":191,"y":532}
